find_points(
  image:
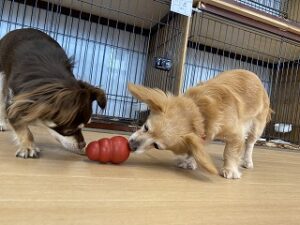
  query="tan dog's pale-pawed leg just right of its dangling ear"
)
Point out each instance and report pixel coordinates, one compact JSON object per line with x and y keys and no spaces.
{"x":231,"y":156}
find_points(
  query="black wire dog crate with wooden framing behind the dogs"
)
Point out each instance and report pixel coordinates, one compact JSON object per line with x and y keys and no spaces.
{"x":120,"y":41}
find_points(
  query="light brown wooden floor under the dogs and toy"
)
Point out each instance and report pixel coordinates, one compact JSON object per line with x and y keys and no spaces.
{"x":64,"y":188}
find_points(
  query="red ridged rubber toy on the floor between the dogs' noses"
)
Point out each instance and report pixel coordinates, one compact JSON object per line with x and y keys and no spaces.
{"x":114,"y":150}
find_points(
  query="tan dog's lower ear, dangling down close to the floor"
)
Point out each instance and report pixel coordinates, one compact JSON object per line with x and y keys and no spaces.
{"x":196,"y":148}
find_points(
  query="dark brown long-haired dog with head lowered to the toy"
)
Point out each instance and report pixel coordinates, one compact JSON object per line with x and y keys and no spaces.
{"x":38,"y":86}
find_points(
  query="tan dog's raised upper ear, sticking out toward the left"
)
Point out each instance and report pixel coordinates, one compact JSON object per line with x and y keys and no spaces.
{"x":154,"y":98}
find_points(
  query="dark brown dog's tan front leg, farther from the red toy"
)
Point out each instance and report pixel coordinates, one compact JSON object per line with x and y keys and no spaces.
{"x":24,"y":137}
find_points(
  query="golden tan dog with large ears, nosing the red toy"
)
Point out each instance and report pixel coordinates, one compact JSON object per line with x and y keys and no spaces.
{"x":233,"y":106}
